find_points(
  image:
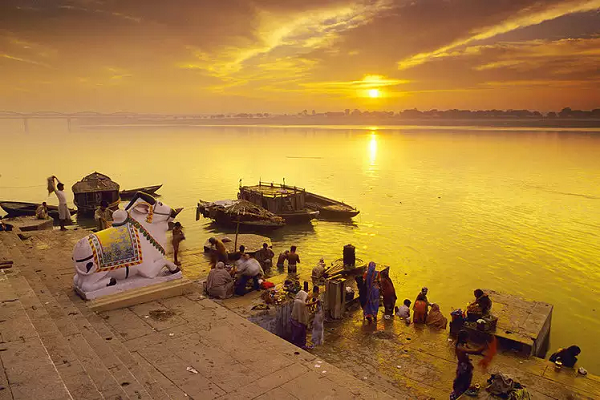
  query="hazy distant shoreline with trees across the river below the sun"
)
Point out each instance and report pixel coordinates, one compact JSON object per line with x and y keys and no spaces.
{"x":353,"y":123}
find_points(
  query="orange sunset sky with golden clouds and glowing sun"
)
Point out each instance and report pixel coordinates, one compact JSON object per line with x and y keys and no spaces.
{"x":278,"y":56}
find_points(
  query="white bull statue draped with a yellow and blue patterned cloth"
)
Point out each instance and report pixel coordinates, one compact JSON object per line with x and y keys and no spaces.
{"x":133,"y":246}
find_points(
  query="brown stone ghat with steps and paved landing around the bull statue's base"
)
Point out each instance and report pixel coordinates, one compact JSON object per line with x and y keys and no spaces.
{"x":187,"y":347}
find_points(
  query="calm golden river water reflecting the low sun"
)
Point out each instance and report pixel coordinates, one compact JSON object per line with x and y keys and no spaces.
{"x":515,"y":211}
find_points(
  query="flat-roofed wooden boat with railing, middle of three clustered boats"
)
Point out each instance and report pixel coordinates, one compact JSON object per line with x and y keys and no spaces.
{"x":284,"y":201}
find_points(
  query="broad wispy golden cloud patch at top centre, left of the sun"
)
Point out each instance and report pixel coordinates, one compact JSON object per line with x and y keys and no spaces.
{"x":270,"y":56}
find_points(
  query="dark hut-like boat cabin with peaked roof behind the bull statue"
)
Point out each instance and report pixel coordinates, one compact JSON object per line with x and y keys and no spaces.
{"x":92,"y":190}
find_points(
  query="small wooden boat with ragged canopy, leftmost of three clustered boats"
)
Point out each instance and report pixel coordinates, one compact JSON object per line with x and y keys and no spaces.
{"x":231,"y":212}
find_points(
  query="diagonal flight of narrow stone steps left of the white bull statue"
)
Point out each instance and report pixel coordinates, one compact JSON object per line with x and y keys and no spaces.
{"x":91,"y":362}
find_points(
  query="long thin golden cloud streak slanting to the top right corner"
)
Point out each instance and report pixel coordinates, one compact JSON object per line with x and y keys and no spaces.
{"x":526,"y":18}
